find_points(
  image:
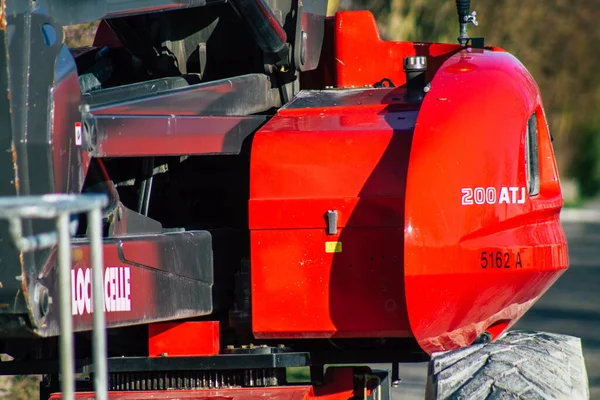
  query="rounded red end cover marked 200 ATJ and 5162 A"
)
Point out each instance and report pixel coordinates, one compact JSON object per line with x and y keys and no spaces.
{"x":463,"y":142}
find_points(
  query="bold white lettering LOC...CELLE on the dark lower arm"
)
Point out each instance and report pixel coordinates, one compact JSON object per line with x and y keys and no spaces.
{"x":117,"y":290}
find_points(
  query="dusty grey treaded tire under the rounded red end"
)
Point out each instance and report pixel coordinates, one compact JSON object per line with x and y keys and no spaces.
{"x":518,"y":365}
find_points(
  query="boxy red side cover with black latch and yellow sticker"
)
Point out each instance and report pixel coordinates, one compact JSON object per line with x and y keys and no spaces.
{"x":307,"y":161}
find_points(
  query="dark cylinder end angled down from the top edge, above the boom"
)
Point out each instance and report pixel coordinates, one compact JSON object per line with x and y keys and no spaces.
{"x":267,"y":31}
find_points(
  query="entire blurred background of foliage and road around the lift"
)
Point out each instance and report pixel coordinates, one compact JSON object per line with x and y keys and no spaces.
{"x":557,"y":41}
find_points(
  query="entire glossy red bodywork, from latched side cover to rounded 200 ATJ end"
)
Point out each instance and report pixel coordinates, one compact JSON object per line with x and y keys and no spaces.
{"x":375,"y":216}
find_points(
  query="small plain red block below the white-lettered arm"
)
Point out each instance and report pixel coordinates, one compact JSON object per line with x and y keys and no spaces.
{"x":184,"y":339}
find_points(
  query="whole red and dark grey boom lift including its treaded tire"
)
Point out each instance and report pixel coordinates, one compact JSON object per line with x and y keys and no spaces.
{"x":243,"y":187}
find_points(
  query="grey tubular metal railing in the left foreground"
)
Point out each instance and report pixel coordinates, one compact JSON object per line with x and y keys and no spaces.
{"x":60,"y":207}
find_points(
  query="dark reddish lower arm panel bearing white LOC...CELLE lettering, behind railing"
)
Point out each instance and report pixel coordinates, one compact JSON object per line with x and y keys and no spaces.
{"x":131,"y":290}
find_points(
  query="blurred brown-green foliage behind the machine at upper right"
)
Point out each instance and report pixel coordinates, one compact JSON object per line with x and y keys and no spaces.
{"x":555,"y":40}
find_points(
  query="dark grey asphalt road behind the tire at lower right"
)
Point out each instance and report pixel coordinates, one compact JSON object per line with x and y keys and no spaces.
{"x":571,"y":306}
